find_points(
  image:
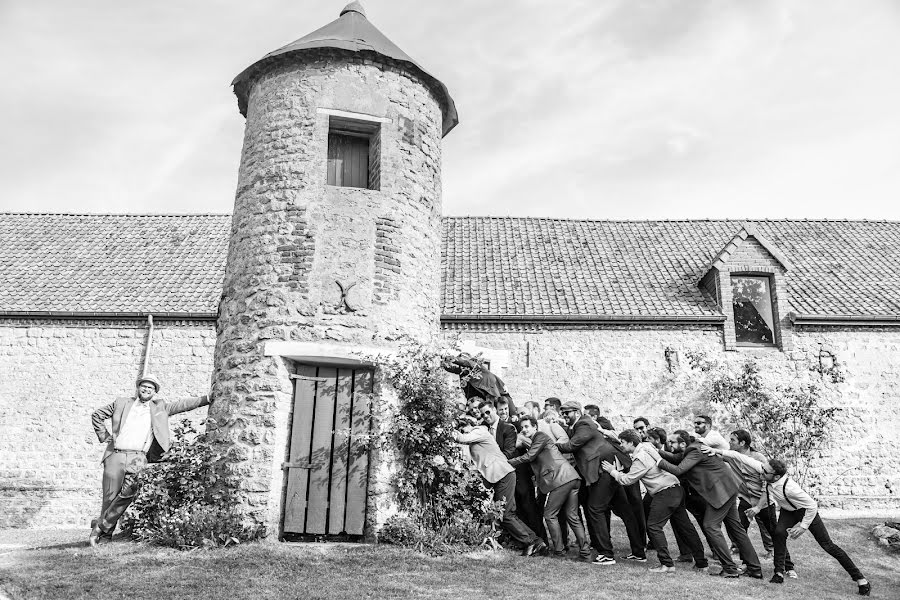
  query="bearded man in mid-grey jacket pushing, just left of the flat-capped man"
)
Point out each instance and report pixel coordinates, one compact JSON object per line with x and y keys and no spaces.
{"x":559,"y":482}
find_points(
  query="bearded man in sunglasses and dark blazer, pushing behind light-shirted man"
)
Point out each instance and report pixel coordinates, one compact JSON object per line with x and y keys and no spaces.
{"x":716,"y":483}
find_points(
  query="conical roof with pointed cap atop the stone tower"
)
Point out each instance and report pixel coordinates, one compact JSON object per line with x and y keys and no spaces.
{"x":351,"y":31}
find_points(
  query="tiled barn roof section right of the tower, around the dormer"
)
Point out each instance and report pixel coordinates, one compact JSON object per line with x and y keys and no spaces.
{"x":523,"y":266}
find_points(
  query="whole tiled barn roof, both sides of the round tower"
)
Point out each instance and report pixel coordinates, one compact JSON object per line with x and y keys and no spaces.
{"x":518,"y":267}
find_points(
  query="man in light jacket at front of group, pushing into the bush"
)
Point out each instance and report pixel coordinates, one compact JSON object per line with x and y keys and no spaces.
{"x":500,"y":477}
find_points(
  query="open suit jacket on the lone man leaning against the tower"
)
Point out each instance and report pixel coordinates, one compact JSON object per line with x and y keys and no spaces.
{"x":159,"y":420}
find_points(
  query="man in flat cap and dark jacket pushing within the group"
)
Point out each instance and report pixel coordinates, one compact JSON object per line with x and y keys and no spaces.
{"x":590,"y":448}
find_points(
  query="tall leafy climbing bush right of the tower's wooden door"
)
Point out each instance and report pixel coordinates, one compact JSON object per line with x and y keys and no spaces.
{"x":444,"y":506}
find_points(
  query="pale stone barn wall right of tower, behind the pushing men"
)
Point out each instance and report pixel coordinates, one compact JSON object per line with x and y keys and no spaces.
{"x":624,"y":370}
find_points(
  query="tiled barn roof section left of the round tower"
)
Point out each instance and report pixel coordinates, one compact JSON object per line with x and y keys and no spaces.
{"x":112,"y":263}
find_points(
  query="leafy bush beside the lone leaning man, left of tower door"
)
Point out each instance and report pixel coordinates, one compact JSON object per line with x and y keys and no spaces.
{"x":182,"y":502}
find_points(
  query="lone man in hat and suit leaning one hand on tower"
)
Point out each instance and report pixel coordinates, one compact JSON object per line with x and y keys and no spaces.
{"x":140,"y":434}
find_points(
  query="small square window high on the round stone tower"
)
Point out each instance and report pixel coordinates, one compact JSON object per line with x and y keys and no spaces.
{"x":354,"y":153}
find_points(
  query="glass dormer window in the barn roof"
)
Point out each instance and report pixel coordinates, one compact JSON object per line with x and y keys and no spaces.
{"x":754,"y":313}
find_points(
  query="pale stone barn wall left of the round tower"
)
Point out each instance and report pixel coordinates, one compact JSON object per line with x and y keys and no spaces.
{"x":53,"y":374}
